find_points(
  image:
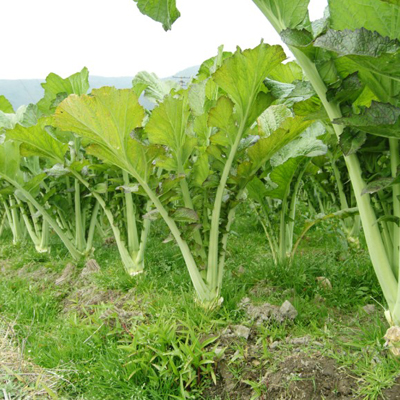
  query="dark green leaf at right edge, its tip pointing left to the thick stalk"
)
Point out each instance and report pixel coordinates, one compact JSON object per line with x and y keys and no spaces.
{"x":380,"y":119}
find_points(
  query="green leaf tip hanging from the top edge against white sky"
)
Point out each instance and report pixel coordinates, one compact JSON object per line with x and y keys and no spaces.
{"x":163,"y":11}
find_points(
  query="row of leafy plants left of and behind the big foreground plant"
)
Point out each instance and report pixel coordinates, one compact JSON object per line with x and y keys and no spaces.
{"x":80,"y":165}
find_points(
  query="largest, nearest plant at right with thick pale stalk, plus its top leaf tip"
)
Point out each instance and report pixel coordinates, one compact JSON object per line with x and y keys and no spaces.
{"x":350,"y":64}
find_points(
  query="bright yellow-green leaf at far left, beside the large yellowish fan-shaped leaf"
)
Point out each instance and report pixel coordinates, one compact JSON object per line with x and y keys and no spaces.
{"x":37,"y":141}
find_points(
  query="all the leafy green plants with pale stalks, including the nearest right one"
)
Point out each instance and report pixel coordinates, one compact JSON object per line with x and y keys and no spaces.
{"x":247,"y":126}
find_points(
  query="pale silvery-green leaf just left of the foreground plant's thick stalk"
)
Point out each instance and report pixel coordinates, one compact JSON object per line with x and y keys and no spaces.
{"x":306,"y":145}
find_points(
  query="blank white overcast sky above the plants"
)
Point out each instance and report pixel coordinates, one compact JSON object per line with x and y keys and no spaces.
{"x":112,"y":38}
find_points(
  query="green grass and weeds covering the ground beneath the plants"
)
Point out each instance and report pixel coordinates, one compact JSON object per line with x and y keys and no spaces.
{"x":150,"y":340}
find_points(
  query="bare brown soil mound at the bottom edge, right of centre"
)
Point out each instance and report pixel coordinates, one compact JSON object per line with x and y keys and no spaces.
{"x":299,"y":376}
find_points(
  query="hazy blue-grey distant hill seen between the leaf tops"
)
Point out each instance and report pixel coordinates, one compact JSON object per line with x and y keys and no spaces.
{"x":25,"y":91}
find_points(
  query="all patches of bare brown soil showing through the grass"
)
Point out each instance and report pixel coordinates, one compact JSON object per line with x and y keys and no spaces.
{"x":298,"y":375}
